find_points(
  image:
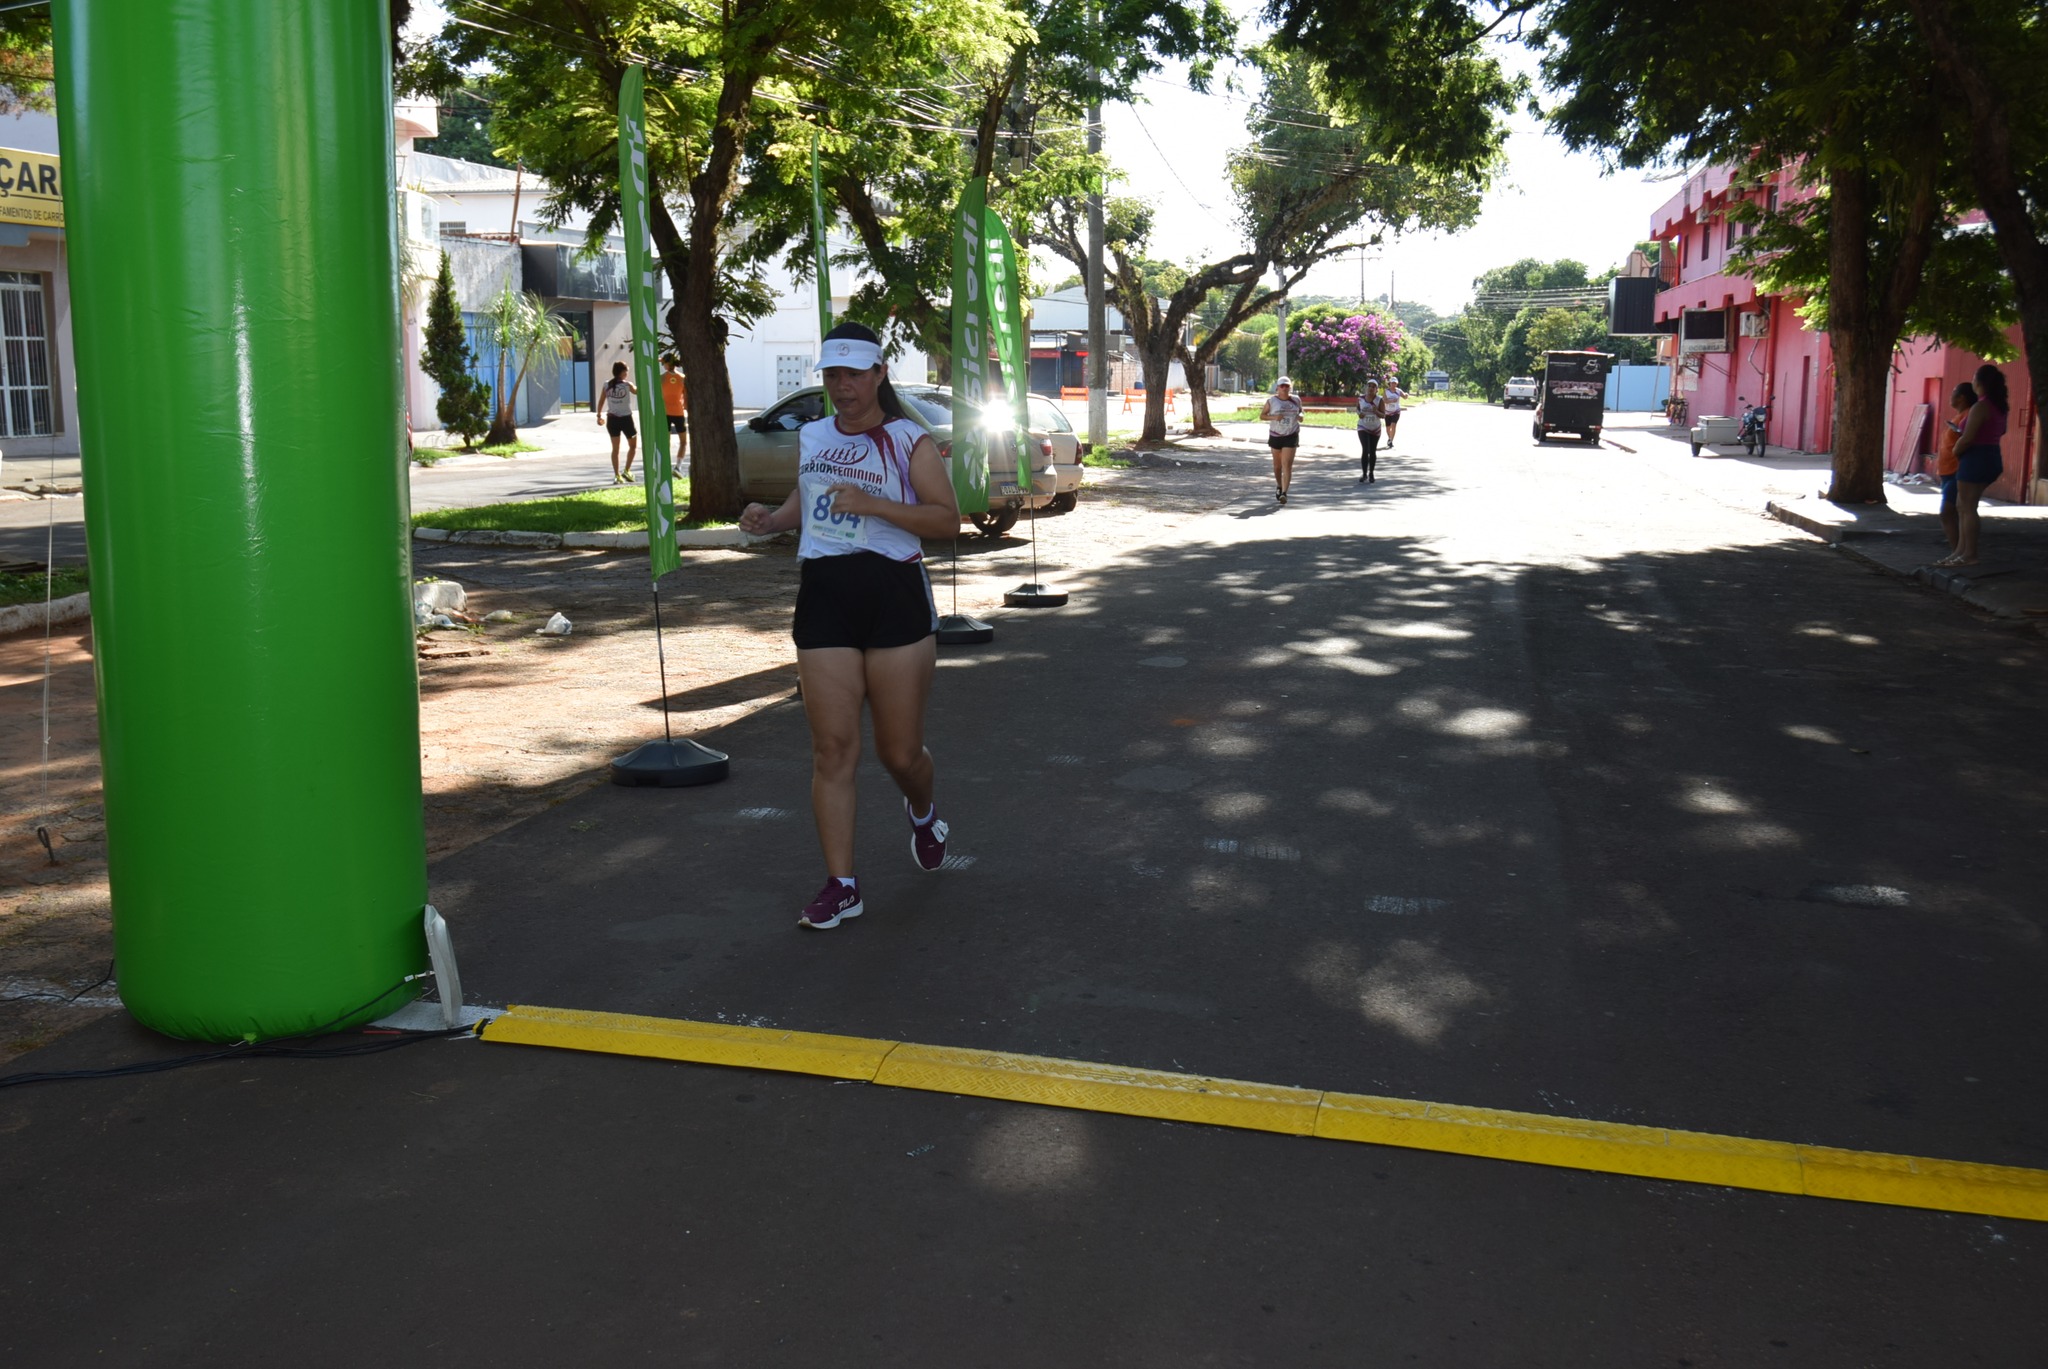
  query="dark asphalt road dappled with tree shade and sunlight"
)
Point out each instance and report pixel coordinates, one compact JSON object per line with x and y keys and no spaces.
{"x":1521,"y":778}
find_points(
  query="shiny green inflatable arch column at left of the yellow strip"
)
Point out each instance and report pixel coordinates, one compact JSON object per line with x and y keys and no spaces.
{"x":232,"y":245}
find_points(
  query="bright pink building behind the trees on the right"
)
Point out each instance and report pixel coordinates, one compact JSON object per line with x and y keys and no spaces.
{"x":1736,"y":345}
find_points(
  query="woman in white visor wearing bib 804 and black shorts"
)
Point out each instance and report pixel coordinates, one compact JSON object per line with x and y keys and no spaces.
{"x":869,"y":487}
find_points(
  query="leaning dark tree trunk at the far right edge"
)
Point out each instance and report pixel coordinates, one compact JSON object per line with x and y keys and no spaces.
{"x":1998,"y":190}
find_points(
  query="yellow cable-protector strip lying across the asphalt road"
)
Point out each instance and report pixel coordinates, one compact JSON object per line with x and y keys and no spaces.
{"x":1496,"y":1134}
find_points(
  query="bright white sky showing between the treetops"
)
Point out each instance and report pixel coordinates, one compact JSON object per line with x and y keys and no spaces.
{"x":1549,"y":204}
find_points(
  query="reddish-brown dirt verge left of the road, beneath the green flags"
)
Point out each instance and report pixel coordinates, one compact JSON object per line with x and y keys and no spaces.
{"x":511,"y":722}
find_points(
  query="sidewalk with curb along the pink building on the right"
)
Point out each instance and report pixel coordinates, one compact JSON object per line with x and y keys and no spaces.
{"x":1902,"y":538}
